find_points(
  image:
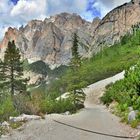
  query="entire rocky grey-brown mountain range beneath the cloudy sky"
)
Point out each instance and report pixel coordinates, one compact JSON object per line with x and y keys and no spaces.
{"x":51,"y":40}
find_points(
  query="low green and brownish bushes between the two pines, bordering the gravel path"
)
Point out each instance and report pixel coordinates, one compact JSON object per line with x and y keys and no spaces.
{"x":42,"y":104}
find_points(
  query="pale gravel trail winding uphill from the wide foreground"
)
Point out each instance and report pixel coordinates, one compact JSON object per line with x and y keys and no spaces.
{"x":93,"y":117}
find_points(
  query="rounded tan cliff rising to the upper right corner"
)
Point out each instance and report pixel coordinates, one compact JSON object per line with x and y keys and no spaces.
{"x":116,"y":24}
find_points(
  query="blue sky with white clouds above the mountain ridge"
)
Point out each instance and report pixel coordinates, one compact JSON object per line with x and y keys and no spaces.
{"x":15,"y":13}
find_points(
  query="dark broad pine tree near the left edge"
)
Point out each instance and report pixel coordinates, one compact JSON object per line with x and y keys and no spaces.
{"x":13,"y":69}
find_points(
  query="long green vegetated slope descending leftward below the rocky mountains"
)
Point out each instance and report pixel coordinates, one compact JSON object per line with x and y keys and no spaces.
{"x":110,"y":61}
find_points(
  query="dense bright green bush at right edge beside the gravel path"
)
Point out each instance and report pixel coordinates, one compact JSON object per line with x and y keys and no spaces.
{"x":126,"y":92}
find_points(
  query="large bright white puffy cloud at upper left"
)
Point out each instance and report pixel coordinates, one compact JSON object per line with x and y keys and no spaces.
{"x":27,"y":10}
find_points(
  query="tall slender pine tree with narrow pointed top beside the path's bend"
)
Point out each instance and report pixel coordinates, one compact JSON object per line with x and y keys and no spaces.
{"x":75,"y":85}
